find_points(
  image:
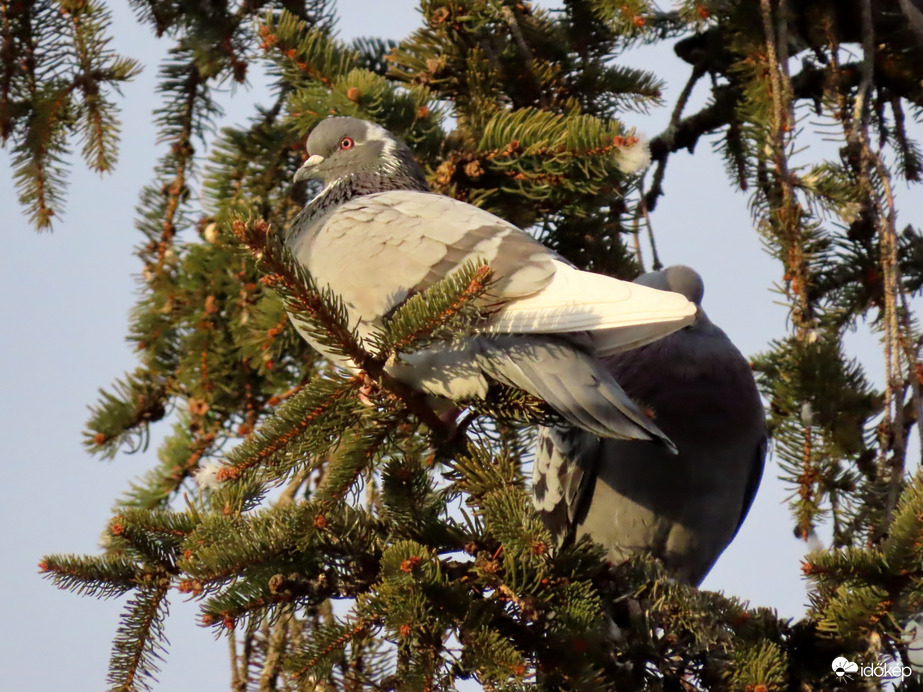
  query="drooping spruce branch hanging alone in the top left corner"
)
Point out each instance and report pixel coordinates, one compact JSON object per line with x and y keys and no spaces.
{"x":55,"y":71}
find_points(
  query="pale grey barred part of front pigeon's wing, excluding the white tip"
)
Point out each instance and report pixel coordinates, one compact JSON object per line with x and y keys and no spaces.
{"x":376,"y":250}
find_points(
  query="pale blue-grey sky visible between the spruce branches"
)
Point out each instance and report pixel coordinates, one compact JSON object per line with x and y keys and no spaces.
{"x":66,"y":299}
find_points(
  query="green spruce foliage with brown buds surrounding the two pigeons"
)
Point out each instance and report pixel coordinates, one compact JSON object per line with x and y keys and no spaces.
{"x":334,"y":526}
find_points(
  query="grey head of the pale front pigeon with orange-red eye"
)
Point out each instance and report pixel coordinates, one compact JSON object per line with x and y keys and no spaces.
{"x":342,"y":147}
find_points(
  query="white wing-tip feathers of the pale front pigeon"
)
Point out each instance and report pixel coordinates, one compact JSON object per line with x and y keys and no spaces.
{"x":619,"y":314}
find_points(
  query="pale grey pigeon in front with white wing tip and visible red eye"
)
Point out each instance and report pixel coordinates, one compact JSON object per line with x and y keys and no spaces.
{"x":375,"y":236}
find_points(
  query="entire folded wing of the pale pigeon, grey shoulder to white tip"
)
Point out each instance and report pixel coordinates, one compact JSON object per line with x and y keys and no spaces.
{"x":410,"y":240}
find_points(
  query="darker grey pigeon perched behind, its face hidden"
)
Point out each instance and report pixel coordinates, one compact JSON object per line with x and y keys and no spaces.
{"x":631,"y":497}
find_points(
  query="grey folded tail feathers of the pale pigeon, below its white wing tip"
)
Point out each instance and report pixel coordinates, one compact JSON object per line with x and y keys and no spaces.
{"x":574,"y":384}
